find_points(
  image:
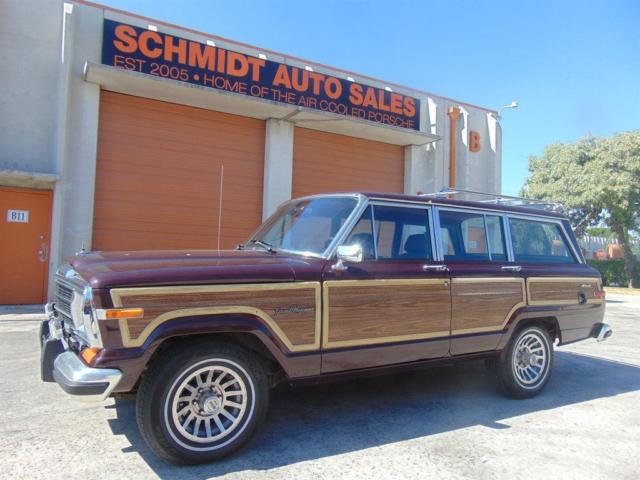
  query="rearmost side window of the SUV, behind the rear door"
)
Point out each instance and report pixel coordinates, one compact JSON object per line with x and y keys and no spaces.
{"x":539,"y":242}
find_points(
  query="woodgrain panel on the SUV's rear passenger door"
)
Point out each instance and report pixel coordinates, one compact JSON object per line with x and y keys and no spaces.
{"x":484,"y":304}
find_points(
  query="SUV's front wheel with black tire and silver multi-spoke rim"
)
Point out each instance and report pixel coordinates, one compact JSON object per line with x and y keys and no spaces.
{"x":203,"y":403}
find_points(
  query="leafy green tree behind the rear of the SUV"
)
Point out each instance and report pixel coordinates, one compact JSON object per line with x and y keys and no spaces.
{"x":598,"y":182}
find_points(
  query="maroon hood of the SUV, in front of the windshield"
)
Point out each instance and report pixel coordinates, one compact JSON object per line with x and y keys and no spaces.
{"x":187,"y":267}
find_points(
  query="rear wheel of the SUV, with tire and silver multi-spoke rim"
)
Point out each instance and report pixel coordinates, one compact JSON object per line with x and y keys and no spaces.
{"x":523,"y":369}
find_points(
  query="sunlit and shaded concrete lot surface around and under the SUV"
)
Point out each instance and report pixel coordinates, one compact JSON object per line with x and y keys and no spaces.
{"x":445,"y":422}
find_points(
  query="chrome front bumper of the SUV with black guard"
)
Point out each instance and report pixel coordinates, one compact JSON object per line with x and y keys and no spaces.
{"x":63,"y":366}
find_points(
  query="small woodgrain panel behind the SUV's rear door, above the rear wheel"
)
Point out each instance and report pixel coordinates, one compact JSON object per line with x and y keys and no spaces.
{"x":562,"y":290}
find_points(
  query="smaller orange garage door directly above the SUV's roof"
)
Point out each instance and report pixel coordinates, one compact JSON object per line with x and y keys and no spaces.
{"x":327,"y":162}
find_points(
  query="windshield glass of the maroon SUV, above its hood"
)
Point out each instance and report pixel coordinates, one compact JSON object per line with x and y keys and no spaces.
{"x":305,"y":226}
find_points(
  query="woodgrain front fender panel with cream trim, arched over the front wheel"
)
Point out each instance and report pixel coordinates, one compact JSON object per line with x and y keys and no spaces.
{"x":292,"y":310}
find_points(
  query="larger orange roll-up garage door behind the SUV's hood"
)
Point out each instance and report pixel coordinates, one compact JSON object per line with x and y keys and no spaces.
{"x":159,"y":170}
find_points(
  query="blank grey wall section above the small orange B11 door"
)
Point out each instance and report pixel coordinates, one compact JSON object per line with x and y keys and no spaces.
{"x":30,"y":44}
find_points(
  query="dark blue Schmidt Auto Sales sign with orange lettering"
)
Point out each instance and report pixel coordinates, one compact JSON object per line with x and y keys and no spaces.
{"x":154,"y":53}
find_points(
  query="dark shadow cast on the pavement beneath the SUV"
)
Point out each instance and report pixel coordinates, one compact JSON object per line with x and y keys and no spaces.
{"x":313,"y":422}
